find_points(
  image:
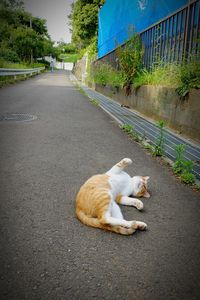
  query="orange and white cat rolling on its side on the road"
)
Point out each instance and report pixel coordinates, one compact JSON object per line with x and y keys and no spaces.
{"x":96,"y":201}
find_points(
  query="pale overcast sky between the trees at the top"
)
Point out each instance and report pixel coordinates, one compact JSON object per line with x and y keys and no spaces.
{"x":55,"y":12}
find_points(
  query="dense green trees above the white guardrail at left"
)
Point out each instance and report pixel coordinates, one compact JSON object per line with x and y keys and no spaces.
{"x":22,"y":36}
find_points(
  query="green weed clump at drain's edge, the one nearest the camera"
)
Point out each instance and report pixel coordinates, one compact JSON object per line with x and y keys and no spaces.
{"x":183,"y":167}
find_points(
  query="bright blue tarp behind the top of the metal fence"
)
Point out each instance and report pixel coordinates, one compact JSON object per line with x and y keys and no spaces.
{"x":118,"y":18}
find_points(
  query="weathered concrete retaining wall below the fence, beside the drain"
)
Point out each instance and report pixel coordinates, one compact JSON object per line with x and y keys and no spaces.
{"x":159,"y":102}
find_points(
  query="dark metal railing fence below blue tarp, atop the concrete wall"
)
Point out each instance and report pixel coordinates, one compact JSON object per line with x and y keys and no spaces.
{"x":172,"y":39}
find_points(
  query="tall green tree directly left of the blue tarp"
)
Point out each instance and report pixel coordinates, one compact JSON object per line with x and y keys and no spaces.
{"x":84,"y":21}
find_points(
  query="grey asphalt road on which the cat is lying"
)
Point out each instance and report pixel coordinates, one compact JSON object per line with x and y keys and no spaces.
{"x":46,"y":253}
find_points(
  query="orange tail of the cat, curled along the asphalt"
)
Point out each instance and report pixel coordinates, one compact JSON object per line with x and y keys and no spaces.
{"x":94,"y":222}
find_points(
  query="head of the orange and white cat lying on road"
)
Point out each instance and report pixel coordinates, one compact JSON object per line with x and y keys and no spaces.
{"x":140,"y":186}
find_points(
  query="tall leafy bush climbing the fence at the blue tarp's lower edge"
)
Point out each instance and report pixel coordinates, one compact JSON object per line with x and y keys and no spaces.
{"x":130,"y":60}
